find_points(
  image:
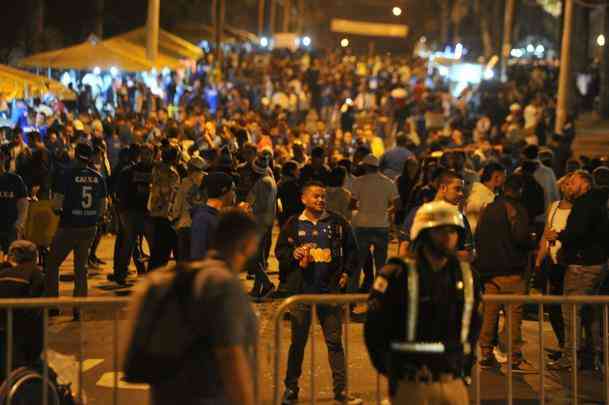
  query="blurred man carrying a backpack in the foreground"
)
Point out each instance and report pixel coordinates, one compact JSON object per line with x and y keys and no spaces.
{"x":194,"y":333}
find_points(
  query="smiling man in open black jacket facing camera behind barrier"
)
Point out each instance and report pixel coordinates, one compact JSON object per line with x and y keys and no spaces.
{"x":316,"y":250}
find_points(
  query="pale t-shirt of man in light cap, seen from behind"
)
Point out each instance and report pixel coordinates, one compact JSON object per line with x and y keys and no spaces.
{"x":374,"y":193}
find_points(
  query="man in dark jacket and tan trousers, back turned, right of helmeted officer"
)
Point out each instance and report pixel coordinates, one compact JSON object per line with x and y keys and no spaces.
{"x":504,"y":243}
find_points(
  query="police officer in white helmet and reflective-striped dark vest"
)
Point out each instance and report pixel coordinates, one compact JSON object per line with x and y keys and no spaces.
{"x":424,"y":314}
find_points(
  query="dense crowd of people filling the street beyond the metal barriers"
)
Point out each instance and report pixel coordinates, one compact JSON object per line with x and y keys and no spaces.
{"x":344,"y":154}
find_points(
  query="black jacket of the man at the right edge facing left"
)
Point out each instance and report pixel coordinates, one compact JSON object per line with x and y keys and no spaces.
{"x":584,"y":240}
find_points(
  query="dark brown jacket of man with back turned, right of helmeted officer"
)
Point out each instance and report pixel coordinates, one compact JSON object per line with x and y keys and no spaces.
{"x":503,"y":239}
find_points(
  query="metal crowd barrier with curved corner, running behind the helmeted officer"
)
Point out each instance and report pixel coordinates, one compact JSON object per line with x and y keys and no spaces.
{"x":506,"y":300}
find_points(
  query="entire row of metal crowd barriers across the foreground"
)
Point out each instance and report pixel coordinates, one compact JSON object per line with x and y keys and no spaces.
{"x":116,"y":304}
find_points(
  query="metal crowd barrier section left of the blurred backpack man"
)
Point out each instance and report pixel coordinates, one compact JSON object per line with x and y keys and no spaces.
{"x":10,"y":305}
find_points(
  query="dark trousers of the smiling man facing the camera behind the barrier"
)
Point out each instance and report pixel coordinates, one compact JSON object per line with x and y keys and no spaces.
{"x":330,"y":318}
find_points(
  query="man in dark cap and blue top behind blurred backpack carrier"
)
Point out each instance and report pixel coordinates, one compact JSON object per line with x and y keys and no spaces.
{"x":220,"y":190}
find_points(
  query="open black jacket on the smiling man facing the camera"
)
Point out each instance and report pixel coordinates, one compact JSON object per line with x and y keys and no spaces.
{"x":344,"y":252}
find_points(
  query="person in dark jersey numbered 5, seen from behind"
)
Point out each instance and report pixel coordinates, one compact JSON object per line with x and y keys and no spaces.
{"x":80,"y":200}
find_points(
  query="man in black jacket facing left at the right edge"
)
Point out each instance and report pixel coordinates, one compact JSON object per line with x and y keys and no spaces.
{"x":584,"y":251}
